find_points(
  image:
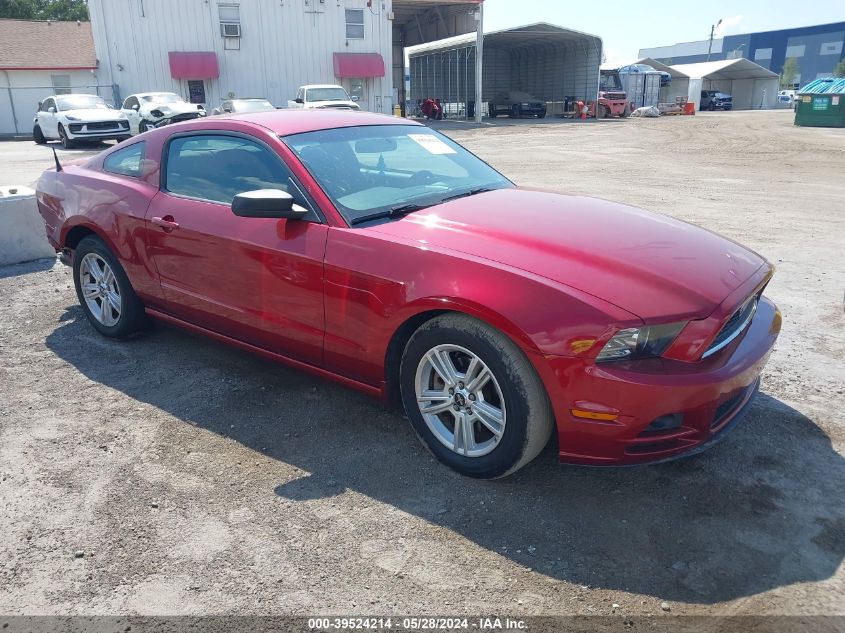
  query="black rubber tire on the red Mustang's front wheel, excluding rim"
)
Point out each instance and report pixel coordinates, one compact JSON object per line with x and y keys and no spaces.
{"x":528,"y":419}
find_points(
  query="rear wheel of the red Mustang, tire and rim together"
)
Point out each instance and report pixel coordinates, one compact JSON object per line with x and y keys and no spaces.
{"x":104,"y":291}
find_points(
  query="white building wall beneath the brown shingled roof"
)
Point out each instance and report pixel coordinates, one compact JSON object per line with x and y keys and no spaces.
{"x":21,"y":90}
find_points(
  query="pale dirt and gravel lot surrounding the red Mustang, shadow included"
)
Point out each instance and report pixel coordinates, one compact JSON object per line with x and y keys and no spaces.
{"x":198,"y":479}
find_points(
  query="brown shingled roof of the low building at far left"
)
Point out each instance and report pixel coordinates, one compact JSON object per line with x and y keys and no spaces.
{"x":33,"y":45}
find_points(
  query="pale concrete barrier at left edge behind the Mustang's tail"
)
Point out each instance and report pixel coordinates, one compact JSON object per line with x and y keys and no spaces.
{"x":22,"y":236}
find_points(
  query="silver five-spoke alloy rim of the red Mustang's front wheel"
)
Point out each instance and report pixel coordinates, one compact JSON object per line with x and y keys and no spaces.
{"x":460,"y":400}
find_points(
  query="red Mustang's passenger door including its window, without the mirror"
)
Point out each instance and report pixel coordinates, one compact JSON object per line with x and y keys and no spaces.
{"x":258,"y":280}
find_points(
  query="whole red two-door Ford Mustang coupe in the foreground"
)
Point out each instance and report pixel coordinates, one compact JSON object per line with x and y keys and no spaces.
{"x":379,"y":253}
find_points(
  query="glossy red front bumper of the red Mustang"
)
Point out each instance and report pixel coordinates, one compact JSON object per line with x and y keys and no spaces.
{"x":708,"y":395}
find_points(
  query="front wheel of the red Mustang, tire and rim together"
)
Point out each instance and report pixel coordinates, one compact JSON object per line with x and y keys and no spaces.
{"x":473,"y":397}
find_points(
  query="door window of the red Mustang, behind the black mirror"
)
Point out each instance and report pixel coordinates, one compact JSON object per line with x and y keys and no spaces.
{"x":217,"y":168}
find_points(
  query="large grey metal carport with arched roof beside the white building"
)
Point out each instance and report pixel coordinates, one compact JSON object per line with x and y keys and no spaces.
{"x":547,"y":61}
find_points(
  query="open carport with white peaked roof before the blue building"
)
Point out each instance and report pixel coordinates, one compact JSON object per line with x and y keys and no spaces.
{"x":752,"y":86}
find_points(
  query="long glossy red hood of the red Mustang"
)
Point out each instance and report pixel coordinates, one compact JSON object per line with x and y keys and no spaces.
{"x":651,"y":265}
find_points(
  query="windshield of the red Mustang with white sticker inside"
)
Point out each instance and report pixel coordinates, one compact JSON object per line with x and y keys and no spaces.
{"x":380,"y":170}
